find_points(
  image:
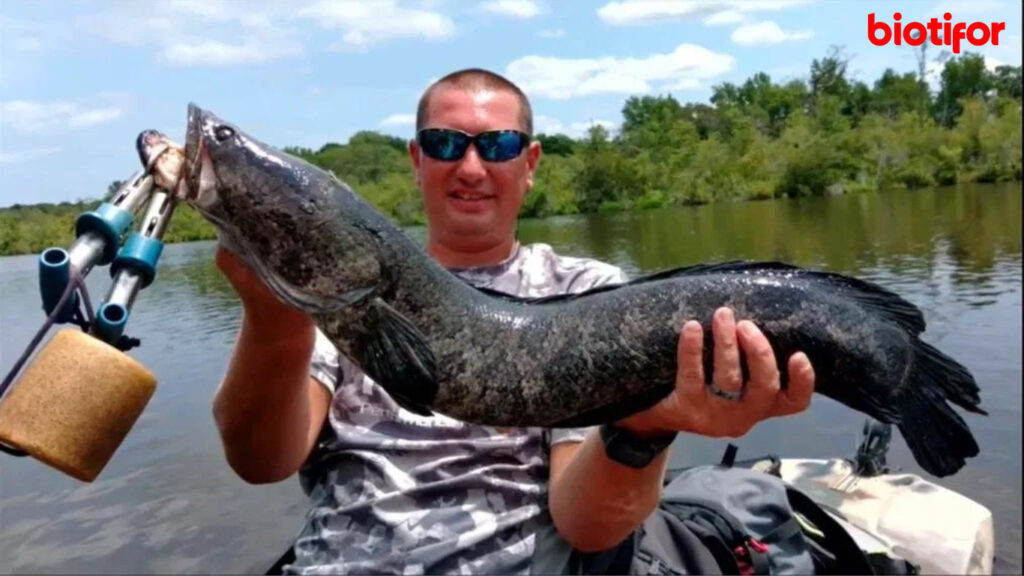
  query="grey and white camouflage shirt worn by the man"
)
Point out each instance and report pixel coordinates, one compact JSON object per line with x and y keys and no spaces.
{"x":396,"y":492}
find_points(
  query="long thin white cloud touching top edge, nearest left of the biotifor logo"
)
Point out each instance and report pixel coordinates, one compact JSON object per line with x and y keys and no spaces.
{"x":648,"y":12}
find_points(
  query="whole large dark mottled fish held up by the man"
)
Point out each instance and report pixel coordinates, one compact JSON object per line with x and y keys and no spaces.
{"x":437,"y":344}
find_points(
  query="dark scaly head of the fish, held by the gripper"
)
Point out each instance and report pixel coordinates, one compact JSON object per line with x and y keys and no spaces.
{"x":279,"y":215}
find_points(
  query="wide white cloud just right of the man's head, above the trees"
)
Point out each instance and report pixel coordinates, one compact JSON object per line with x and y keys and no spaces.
{"x":567,"y":78}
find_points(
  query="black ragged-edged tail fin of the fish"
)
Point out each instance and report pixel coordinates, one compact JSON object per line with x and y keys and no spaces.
{"x":938,"y":438}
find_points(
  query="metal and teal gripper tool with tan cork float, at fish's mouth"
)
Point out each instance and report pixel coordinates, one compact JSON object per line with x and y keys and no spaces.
{"x":78,"y":398}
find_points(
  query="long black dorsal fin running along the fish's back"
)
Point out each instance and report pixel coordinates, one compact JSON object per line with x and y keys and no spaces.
{"x":872,"y":297}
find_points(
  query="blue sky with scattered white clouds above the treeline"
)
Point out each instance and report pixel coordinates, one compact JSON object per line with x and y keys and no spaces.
{"x":79,"y":80}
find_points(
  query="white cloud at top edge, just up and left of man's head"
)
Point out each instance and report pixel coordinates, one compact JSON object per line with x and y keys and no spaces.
{"x":364,"y":23}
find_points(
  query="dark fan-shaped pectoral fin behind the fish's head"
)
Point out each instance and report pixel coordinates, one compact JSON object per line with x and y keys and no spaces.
{"x":396,"y":354}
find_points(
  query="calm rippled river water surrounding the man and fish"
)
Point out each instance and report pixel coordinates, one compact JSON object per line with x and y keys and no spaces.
{"x":168,"y":503}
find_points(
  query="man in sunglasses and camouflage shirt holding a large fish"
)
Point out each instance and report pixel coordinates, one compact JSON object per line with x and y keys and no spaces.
{"x":393,"y":491}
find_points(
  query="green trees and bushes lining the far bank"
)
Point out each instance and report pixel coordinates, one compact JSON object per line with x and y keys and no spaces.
{"x":757,"y":141}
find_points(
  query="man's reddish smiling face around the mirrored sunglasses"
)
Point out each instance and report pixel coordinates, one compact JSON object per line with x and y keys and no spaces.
{"x":473,"y":204}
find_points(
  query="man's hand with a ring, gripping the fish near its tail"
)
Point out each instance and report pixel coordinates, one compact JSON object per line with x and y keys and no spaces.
{"x":694,"y":408}
